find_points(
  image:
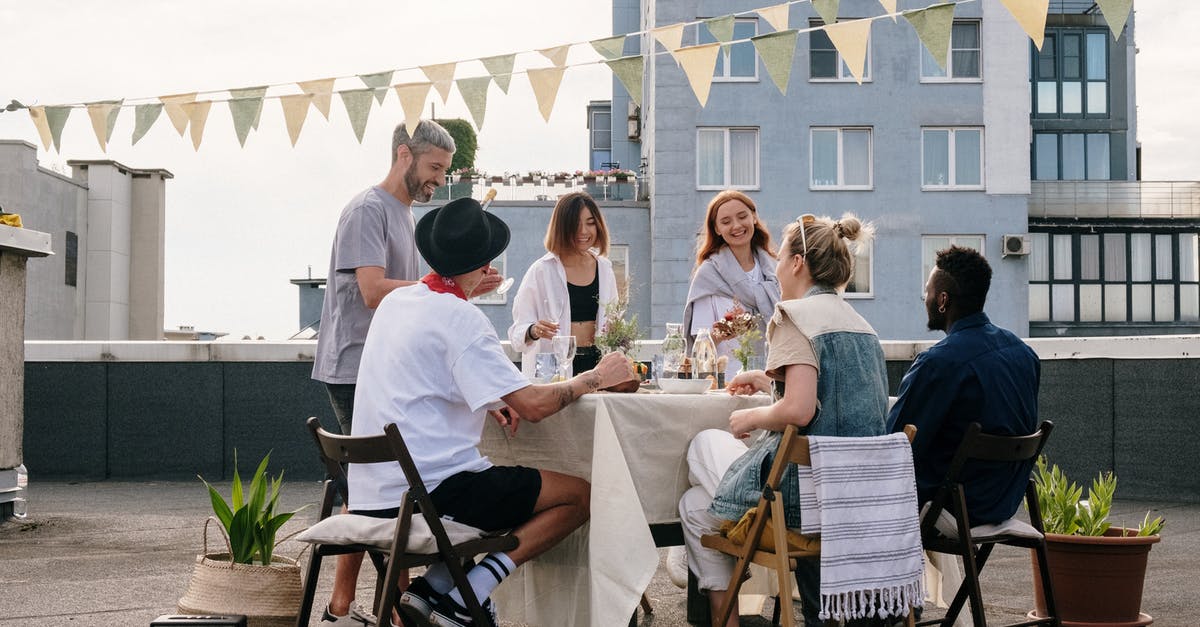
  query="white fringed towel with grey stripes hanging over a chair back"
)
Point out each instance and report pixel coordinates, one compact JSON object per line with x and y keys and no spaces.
{"x":861,"y":498}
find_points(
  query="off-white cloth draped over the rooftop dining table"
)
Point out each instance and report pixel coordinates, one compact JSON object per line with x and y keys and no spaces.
{"x":633,"y":449}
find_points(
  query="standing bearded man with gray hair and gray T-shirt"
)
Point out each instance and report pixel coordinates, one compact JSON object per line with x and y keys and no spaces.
{"x":374,"y":254}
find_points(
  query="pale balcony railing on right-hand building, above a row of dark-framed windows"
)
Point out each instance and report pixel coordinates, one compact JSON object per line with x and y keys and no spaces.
{"x":1115,"y":199}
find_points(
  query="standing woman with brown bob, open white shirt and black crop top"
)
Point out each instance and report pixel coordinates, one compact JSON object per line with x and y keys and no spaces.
{"x":567,"y":290}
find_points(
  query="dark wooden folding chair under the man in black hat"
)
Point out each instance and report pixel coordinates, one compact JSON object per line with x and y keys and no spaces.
{"x":338,"y":451}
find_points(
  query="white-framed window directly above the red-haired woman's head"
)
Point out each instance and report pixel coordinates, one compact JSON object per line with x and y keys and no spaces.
{"x":728,"y":158}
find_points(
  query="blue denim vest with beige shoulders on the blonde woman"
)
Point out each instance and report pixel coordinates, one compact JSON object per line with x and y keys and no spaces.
{"x":853,"y":398}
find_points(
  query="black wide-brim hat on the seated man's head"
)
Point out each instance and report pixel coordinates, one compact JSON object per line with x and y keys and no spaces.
{"x":460,"y":237}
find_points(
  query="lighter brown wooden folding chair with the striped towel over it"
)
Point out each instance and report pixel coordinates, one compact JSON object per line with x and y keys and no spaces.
{"x":794,"y":449}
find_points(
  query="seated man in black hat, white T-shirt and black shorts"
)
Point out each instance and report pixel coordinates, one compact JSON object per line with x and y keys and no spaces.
{"x":434,"y":366}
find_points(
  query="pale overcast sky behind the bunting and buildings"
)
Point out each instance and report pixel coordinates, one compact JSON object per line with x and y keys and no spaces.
{"x":243,"y":222}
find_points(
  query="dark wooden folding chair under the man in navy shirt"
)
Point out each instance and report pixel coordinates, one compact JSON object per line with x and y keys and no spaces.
{"x":946,"y":527}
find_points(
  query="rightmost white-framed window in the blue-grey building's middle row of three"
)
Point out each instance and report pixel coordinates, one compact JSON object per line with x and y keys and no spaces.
{"x":952,"y":159}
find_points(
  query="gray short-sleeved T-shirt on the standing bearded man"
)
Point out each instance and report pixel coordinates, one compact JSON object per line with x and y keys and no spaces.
{"x":375,"y":230}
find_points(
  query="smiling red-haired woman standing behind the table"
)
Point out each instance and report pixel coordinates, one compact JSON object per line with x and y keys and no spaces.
{"x":735,"y":265}
